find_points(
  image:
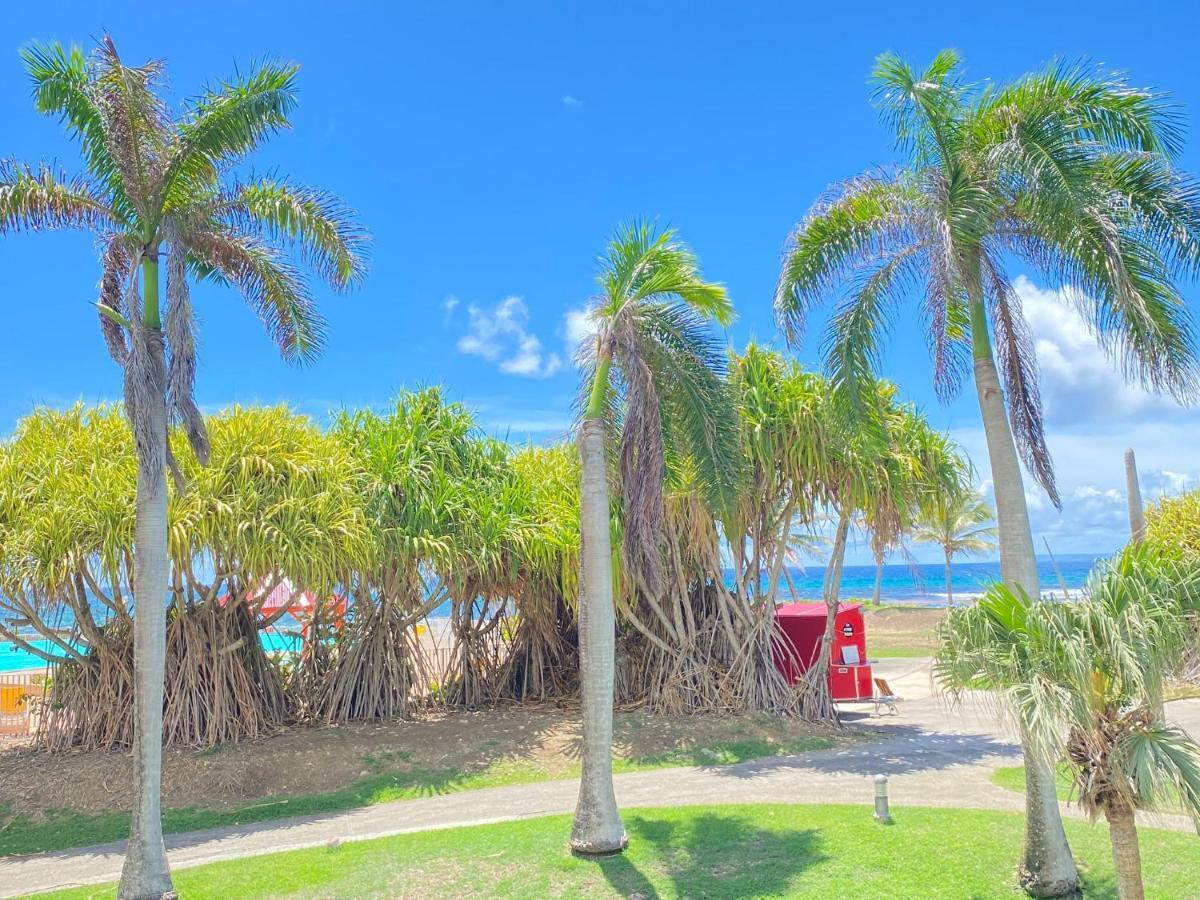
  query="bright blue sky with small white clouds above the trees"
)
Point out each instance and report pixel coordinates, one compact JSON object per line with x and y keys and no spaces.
{"x":491,"y":148}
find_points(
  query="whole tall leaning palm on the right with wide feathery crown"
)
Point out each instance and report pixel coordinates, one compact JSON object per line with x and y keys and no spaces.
{"x":1069,"y":171}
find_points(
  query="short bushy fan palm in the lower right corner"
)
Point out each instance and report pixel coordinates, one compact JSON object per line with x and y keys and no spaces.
{"x":1094,"y":671}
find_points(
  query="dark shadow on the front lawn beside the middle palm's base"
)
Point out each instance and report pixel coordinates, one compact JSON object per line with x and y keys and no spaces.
{"x":711,"y":855}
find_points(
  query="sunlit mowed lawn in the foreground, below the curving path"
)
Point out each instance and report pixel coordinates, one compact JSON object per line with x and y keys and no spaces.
{"x":710,"y":851}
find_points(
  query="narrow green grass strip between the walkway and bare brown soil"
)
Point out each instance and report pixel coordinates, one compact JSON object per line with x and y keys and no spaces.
{"x":59,"y":830}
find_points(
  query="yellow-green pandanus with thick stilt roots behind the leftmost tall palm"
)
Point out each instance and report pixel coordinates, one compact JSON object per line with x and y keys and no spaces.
{"x":279,"y":503}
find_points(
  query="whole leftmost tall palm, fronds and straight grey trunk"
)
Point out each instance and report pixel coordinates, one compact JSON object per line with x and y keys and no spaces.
{"x":155,"y":183}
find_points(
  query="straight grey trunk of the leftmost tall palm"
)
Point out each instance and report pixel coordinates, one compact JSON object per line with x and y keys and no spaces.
{"x":146,"y":873}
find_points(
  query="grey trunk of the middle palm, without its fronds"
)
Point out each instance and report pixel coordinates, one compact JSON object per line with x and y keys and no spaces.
{"x":597,"y":827}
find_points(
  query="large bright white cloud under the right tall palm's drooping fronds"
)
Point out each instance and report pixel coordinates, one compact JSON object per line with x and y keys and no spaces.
{"x":1079,"y":382}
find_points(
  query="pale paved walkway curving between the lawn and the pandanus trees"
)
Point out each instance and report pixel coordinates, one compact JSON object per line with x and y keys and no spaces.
{"x":934,"y":757}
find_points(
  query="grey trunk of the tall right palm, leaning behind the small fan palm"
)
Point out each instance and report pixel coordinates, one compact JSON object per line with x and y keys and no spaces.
{"x":1048,"y":868}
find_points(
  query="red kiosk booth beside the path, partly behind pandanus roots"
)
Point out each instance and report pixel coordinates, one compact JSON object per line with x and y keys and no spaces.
{"x":850,"y":674}
